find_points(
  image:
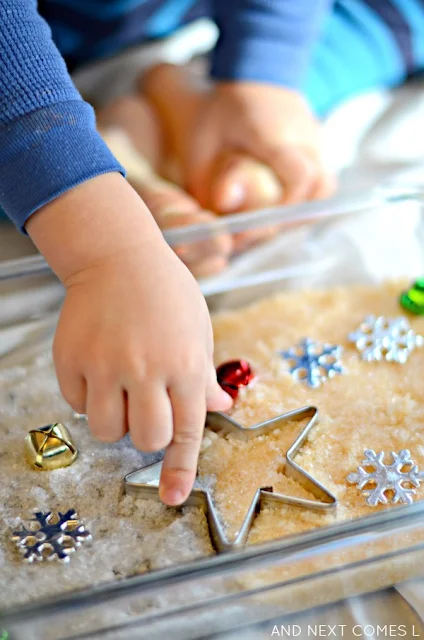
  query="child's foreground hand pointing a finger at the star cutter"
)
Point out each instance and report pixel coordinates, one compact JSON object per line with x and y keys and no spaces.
{"x":134,"y":346}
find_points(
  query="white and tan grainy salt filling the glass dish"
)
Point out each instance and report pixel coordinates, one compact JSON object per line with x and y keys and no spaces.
{"x":373,"y":405}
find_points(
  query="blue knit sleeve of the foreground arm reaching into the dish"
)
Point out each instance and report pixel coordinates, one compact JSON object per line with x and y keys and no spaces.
{"x":48,"y":137}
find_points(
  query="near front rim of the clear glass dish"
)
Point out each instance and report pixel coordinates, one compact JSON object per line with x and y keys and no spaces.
{"x":211,"y":566}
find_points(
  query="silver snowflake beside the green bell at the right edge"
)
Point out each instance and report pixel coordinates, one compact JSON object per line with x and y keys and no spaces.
{"x":386,"y":339}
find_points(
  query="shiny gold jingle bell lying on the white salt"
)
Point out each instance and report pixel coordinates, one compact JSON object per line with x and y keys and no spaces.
{"x":50,"y":447}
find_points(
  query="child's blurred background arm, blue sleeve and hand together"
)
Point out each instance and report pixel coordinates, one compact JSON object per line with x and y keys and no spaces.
{"x":259,"y":65}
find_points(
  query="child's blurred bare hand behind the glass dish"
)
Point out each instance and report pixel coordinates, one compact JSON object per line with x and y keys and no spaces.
{"x":271,"y":124}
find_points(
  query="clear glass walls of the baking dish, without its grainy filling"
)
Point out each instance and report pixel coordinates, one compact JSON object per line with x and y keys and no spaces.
{"x":367,"y":239}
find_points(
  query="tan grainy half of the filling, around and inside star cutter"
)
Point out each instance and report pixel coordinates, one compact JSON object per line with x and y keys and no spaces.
{"x":373,"y":405}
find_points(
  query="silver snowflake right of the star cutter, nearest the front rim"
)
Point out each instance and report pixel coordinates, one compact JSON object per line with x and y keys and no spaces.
{"x":376,"y":479}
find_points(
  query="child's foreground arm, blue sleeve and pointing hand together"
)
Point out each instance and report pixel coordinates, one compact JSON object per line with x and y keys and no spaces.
{"x":134,"y":346}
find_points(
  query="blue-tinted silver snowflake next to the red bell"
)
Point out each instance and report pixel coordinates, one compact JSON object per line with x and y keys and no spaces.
{"x":313,"y":363}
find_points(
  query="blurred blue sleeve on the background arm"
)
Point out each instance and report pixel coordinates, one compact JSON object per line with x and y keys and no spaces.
{"x":267,"y":40}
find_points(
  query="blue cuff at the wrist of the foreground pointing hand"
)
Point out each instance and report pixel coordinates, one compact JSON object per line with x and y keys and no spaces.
{"x":46,"y":153}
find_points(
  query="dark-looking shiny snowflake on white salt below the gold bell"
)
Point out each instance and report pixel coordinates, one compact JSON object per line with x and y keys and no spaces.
{"x":48,"y":538}
